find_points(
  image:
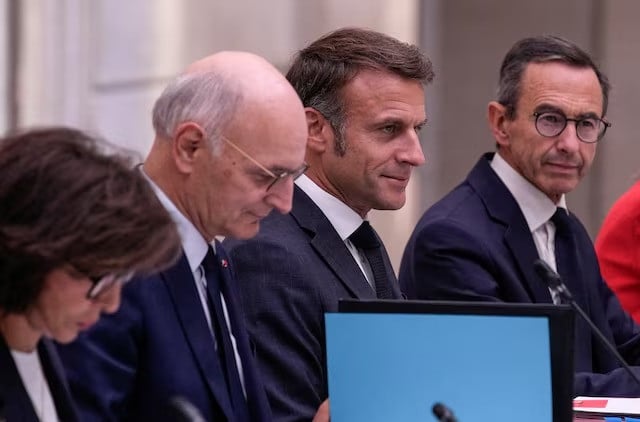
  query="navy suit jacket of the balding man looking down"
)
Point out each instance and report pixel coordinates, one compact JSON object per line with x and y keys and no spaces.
{"x":158,"y":346}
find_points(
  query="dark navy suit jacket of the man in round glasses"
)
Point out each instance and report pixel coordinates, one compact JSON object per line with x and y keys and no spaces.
{"x":475,"y":245}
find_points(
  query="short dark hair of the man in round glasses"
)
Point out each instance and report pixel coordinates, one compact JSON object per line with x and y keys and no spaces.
{"x":544,"y":48}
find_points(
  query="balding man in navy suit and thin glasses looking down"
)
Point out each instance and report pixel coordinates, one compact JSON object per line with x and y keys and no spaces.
{"x":230,"y":139}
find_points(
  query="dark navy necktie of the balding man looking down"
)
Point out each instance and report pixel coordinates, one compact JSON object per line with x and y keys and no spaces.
{"x":223,"y":338}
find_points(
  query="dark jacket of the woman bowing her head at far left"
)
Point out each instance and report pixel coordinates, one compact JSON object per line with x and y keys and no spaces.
{"x":15,"y":404}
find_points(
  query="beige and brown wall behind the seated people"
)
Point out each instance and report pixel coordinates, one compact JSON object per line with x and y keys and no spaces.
{"x":100,"y":64}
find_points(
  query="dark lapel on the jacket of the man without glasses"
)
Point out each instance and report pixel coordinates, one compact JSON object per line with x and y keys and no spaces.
{"x":327,"y":243}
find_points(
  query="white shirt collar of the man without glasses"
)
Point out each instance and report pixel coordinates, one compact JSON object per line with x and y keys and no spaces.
{"x":342,"y":218}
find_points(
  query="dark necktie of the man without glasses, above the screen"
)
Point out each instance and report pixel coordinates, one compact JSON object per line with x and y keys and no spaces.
{"x":365,"y":238}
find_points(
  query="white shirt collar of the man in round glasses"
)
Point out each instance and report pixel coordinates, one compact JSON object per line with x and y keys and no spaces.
{"x":534,"y":204}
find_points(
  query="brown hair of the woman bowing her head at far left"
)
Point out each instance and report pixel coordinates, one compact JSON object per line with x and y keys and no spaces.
{"x":64,"y":201}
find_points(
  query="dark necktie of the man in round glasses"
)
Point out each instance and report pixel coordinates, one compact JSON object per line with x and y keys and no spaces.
{"x":565,"y":246}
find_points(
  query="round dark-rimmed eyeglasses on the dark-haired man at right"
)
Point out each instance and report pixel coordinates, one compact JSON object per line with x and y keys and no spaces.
{"x":589,"y":130}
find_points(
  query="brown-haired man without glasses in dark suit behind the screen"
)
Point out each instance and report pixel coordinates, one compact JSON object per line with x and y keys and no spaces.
{"x":364,"y":100}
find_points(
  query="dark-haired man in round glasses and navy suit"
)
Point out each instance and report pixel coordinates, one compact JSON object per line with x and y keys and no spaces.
{"x":480,"y":241}
